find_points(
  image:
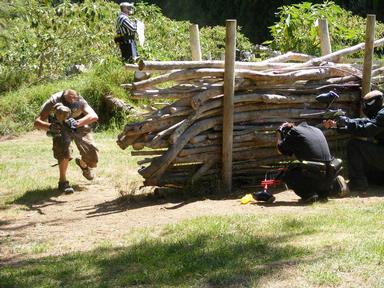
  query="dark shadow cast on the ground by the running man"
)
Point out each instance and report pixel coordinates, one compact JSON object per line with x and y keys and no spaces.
{"x":40,"y":198}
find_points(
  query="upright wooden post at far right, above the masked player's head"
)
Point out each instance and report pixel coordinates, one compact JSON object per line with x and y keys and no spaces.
{"x":368,"y":54}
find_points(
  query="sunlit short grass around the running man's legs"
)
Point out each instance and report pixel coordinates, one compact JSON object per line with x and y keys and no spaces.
{"x":27,"y":178}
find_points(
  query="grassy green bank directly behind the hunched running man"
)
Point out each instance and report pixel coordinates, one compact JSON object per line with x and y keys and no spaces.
{"x":20,"y":108}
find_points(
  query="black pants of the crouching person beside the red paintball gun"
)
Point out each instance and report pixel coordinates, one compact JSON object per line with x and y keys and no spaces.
{"x":306,"y":185}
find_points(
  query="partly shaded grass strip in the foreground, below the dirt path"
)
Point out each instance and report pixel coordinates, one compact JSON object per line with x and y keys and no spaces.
{"x":332,"y":246}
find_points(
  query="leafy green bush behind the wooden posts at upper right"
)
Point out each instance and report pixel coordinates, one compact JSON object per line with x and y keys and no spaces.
{"x":296,"y":29}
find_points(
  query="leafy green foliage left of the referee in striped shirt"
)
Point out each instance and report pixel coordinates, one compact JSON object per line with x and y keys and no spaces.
{"x":48,"y":39}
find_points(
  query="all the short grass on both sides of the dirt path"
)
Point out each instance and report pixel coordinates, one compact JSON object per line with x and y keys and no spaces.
{"x":336,"y":244}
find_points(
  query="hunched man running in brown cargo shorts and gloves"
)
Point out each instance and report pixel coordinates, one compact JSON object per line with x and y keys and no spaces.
{"x":69,"y":116}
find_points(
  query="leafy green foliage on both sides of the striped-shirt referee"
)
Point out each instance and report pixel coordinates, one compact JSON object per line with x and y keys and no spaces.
{"x":48,"y":39}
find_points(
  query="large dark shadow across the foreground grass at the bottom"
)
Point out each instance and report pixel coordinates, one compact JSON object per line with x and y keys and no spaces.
{"x":203,"y":259}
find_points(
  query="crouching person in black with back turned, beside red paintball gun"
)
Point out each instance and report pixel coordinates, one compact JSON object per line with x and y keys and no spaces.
{"x":315,"y":172}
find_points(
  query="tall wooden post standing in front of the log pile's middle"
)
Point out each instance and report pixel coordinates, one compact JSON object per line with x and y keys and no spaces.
{"x":229,"y":90}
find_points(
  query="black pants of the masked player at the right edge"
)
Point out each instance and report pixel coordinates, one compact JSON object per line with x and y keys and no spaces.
{"x":365,"y":162}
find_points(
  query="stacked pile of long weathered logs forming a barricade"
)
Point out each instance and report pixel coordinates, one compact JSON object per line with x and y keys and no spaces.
{"x":184,"y":137}
